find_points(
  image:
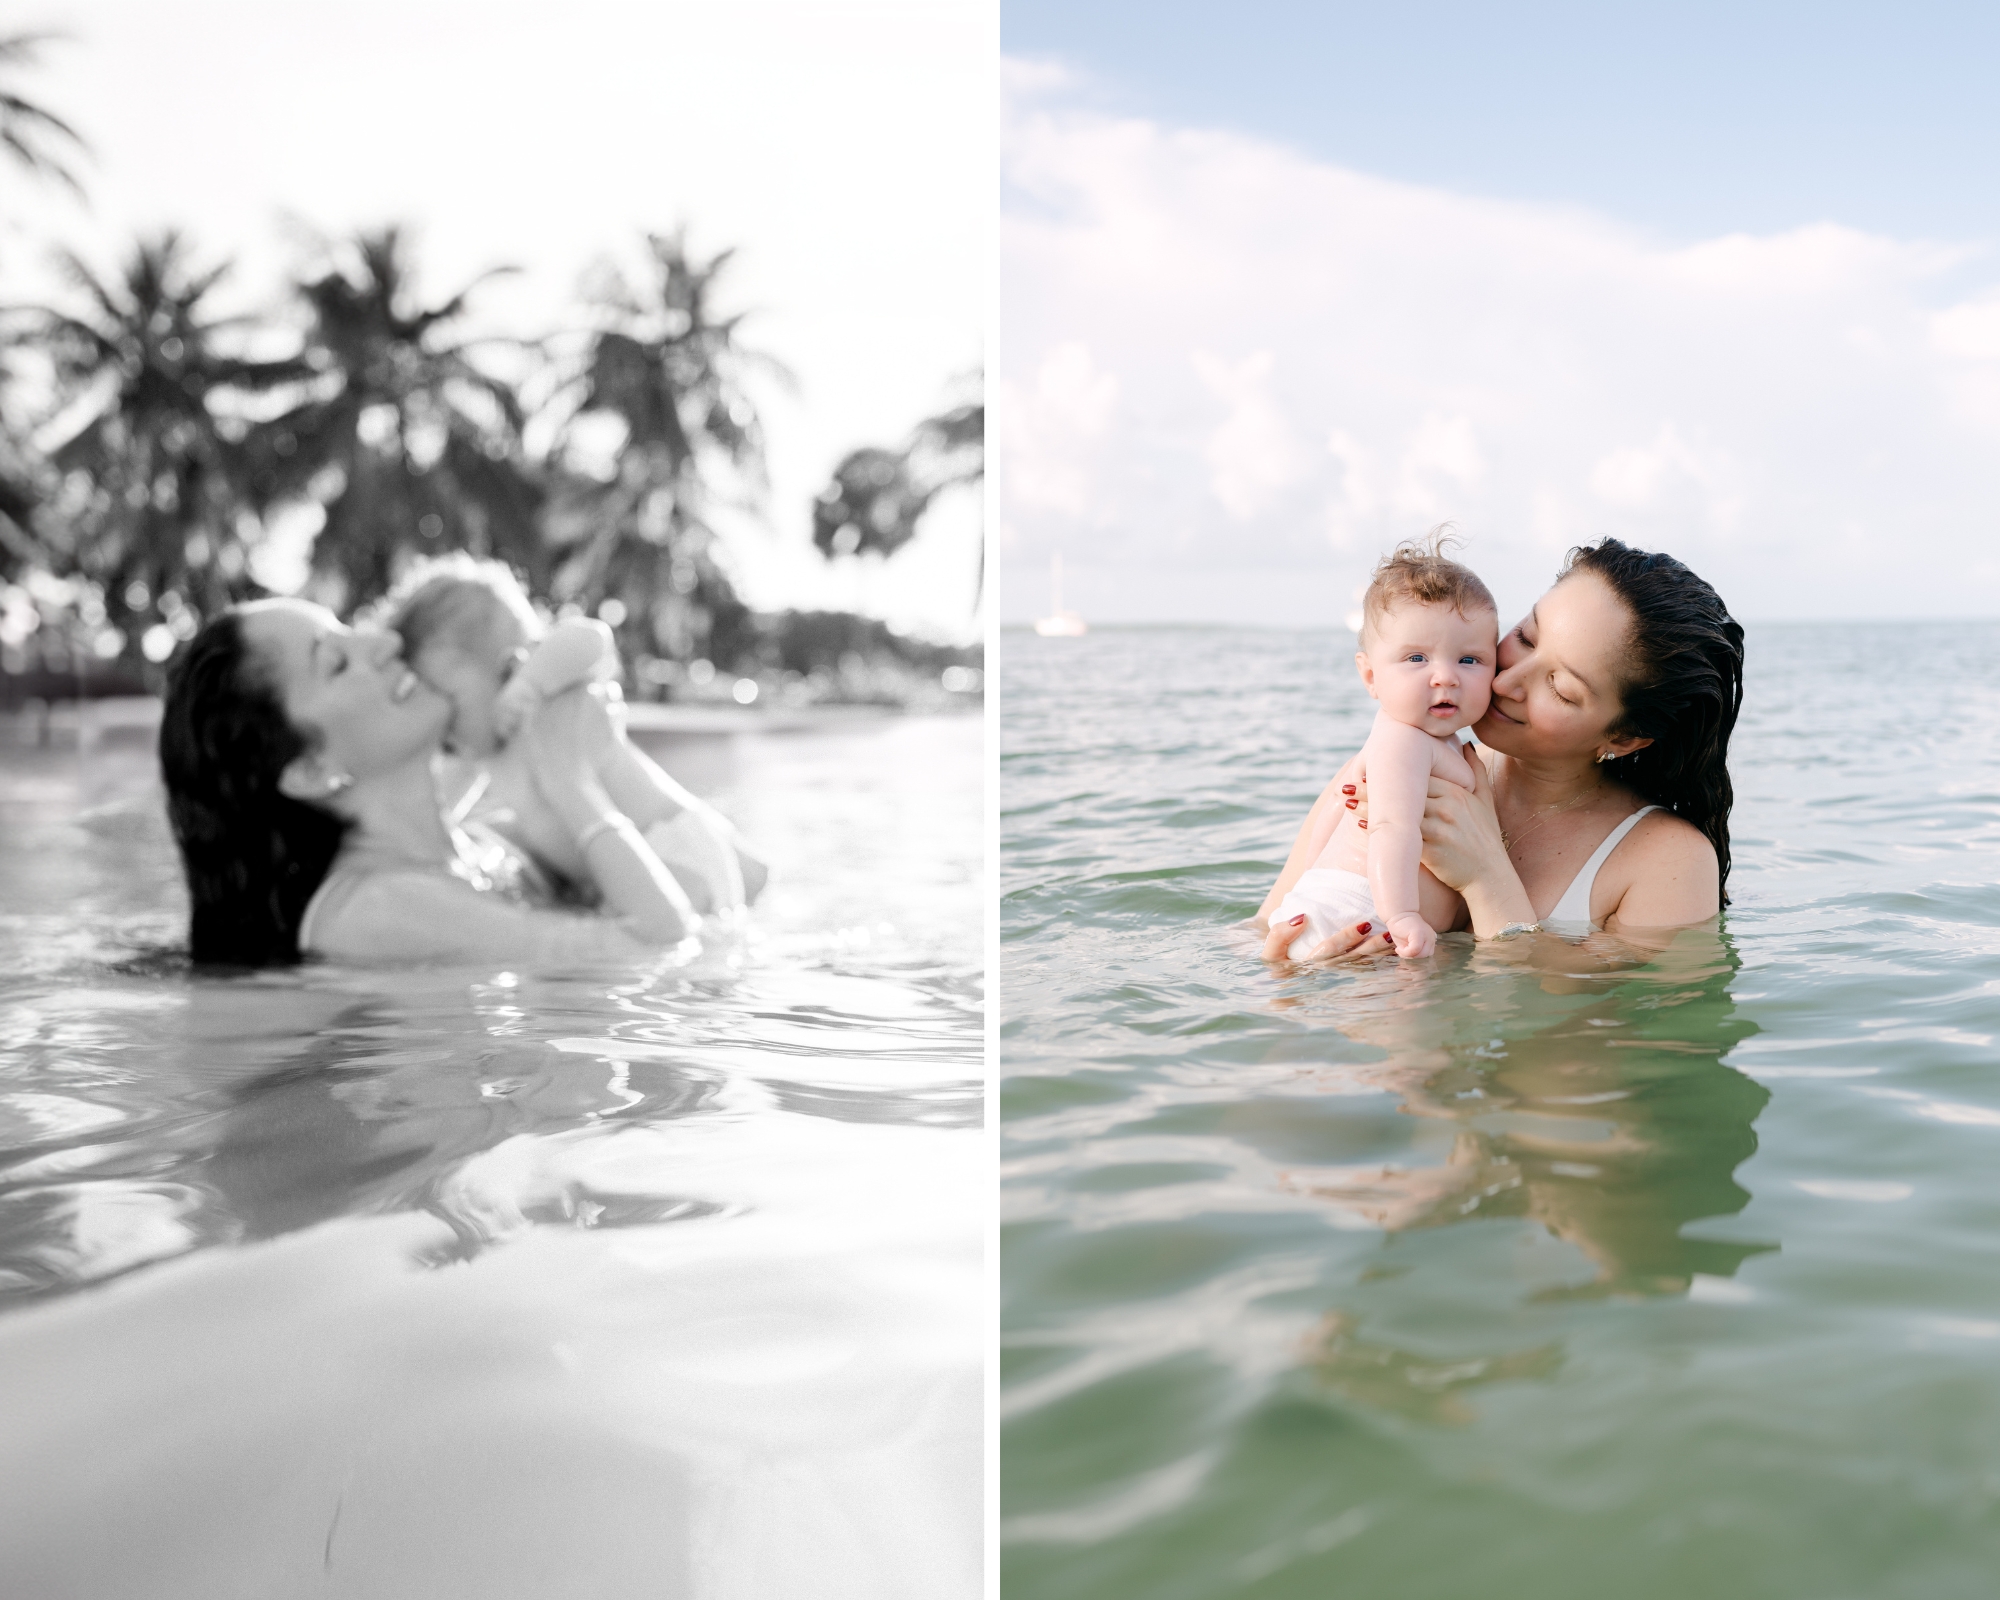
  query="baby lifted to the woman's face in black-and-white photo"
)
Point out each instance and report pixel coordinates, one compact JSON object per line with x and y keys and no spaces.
{"x":469,"y":631}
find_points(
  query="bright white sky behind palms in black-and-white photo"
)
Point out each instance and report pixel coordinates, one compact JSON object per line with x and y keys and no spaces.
{"x":843,"y":147}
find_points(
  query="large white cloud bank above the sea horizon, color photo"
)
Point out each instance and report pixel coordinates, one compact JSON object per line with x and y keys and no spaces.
{"x":1787,"y":413}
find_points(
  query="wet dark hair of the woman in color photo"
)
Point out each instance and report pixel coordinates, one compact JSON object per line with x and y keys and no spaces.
{"x":1683,"y":687}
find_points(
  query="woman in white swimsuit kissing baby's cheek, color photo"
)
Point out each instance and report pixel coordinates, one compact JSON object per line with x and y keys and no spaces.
{"x":1605,"y":795}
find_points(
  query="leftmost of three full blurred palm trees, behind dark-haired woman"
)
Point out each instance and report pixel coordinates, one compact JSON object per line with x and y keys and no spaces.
{"x":151,"y":405}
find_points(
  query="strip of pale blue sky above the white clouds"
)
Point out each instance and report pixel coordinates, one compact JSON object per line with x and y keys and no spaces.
{"x":1693,"y":119}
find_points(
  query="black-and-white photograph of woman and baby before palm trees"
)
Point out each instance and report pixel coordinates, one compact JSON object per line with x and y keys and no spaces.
{"x":493,"y":799}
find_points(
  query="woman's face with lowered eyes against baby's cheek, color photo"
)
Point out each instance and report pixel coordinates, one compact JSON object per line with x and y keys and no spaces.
{"x":1557,"y":691}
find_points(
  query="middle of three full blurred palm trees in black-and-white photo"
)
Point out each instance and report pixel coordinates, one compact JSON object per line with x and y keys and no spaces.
{"x":401,"y":437}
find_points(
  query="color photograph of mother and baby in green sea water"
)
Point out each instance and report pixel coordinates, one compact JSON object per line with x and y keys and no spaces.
{"x":1499,"y":979}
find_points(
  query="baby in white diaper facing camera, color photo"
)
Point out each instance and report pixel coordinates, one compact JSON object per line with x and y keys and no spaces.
{"x":1431,"y":639}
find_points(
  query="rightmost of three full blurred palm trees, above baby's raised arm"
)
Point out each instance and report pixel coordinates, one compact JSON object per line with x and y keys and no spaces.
{"x":675,"y":383}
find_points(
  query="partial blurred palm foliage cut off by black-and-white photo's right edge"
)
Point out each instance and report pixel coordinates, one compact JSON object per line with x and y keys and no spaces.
{"x":879,"y":499}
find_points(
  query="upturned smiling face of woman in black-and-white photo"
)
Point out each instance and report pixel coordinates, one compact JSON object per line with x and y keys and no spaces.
{"x":349,"y":691}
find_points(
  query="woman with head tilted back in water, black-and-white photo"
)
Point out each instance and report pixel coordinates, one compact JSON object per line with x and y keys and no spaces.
{"x":299,"y":783}
